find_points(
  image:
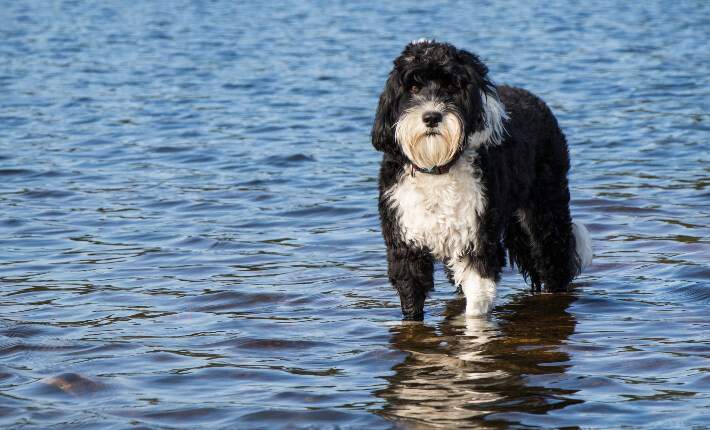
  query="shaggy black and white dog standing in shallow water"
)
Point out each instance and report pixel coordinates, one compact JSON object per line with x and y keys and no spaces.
{"x":469,"y":170}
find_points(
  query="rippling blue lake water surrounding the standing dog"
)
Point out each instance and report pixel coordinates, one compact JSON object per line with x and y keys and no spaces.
{"x":188,"y":218}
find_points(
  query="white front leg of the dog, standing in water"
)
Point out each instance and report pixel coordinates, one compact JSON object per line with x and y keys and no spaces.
{"x":480,"y":291}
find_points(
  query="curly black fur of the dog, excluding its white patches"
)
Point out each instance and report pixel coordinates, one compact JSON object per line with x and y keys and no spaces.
{"x":524,"y":177}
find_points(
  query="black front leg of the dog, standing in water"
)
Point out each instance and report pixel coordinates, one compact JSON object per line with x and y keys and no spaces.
{"x":411,"y":272}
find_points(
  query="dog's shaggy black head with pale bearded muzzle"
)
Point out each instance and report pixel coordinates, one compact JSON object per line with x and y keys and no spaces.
{"x":437,"y":101}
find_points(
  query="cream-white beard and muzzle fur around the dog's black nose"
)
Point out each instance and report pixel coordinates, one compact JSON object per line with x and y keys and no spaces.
{"x":428,"y":147}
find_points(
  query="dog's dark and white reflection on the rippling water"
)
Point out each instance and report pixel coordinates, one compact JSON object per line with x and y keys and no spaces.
{"x":458,"y":372}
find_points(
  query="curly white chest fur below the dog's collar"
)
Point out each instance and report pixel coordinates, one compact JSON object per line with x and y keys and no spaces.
{"x":439,"y":212}
